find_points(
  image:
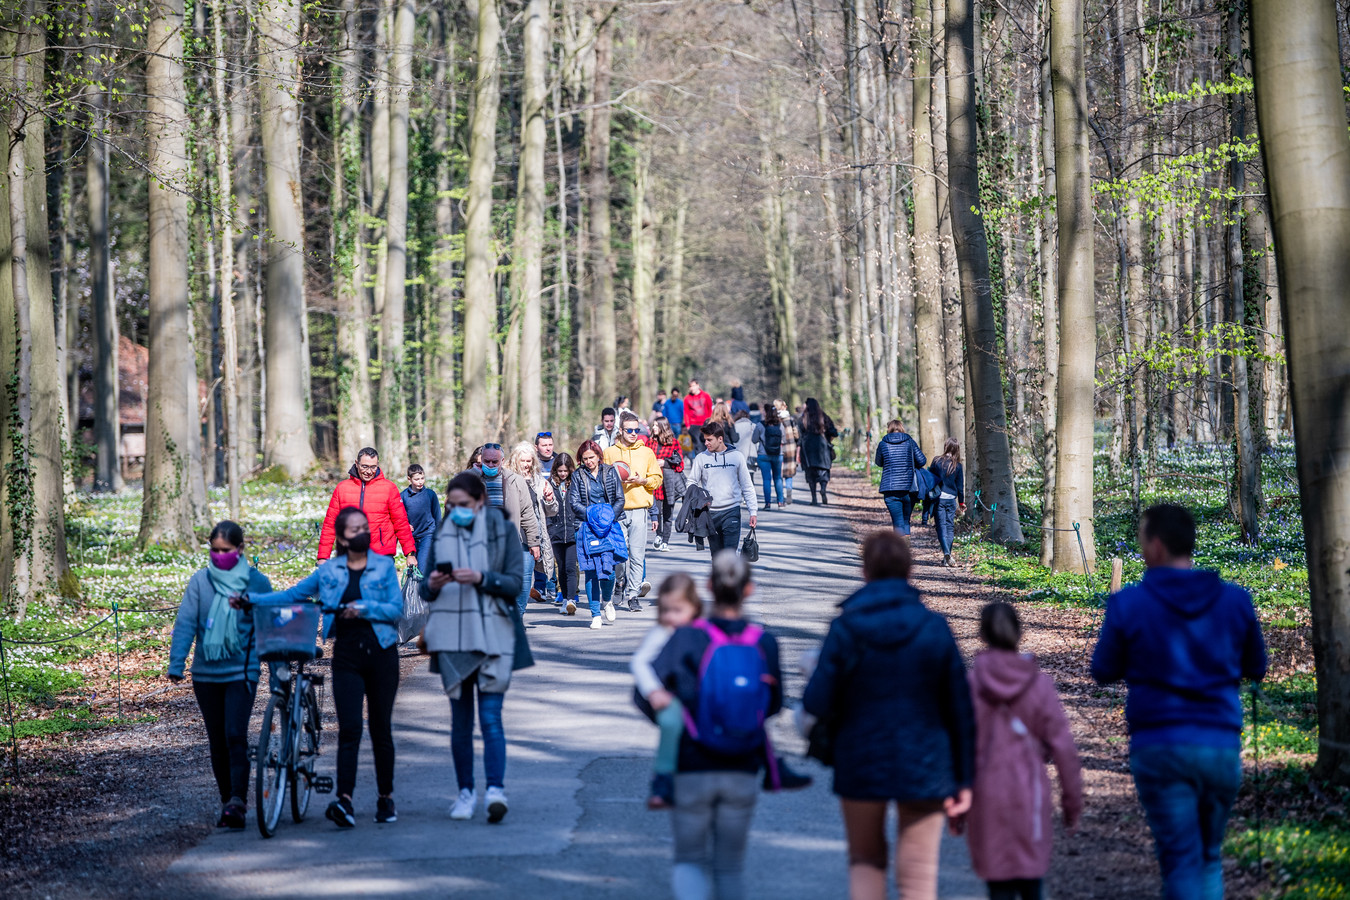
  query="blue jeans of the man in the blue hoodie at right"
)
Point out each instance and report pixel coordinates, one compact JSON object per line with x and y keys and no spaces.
{"x":1187,"y":791}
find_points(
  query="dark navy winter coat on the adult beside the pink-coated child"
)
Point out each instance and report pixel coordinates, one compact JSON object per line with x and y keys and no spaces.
{"x":893,"y":679}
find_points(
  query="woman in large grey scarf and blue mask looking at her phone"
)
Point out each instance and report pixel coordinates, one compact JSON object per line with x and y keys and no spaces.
{"x":475,"y":635}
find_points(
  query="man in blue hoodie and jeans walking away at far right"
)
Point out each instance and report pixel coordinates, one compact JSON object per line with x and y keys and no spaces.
{"x":1183,"y":640}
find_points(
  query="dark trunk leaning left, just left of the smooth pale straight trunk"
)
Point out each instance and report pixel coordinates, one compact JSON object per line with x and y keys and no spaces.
{"x":974,"y":262}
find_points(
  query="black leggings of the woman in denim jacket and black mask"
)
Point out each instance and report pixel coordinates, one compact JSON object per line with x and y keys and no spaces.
{"x":365,"y":671}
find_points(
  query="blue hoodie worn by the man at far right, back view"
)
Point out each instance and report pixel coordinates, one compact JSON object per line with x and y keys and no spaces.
{"x":1183,"y":640}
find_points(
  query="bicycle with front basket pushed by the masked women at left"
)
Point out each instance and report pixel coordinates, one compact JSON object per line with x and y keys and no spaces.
{"x":290,"y":743}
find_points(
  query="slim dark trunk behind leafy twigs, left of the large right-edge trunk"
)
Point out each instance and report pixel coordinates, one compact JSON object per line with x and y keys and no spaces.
{"x":1248,"y":476}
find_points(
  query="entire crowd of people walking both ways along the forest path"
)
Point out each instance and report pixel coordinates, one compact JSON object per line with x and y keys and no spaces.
{"x":890,"y":704}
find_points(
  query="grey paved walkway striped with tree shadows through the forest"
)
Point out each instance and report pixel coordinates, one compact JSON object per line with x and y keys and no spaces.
{"x":578,"y":767}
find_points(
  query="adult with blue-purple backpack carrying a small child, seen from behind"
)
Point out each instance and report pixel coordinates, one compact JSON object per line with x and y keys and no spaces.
{"x":726,"y":674}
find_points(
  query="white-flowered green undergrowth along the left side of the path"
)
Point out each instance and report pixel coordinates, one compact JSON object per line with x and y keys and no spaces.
{"x":64,"y":682}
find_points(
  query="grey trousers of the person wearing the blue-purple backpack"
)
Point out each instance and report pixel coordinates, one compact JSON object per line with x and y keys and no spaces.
{"x":712,"y":822}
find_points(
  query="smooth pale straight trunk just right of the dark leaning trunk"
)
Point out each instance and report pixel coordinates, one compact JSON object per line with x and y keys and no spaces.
{"x":1078,"y":315}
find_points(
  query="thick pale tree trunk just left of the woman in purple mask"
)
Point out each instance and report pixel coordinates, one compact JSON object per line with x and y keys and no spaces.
{"x":173,"y":432}
